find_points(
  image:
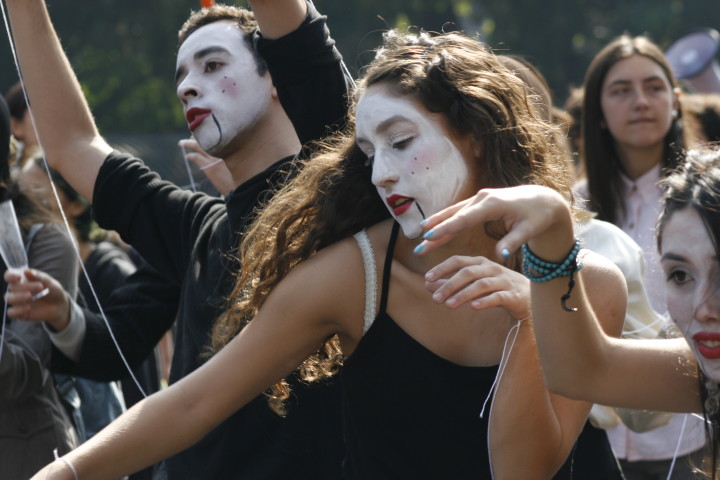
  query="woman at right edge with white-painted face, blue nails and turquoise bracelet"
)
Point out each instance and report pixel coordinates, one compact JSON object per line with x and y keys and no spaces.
{"x":578,"y":360}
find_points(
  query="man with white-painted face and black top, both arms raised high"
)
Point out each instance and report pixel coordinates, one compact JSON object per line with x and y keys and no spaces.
{"x":234,"y":110}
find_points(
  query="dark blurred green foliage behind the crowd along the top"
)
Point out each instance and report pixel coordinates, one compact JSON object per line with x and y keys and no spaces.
{"x":124,"y":52}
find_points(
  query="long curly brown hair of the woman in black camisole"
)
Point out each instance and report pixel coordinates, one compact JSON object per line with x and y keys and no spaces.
{"x":332,"y":197}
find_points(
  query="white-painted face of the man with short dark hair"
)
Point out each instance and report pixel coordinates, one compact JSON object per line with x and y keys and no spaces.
{"x":219,"y":87}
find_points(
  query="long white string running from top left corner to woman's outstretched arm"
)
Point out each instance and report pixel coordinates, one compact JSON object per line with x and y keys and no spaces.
{"x":62,"y":212}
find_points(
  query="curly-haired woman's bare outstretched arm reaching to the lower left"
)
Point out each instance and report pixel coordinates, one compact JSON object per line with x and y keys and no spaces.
{"x":267,"y":350}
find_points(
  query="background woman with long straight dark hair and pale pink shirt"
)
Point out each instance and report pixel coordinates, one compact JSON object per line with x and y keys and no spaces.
{"x":632,"y":138}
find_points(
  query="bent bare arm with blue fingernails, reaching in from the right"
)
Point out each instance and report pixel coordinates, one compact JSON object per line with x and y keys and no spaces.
{"x":578,"y":359}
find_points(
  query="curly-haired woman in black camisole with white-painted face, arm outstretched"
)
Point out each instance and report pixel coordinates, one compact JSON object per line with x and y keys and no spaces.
{"x":437,"y":118}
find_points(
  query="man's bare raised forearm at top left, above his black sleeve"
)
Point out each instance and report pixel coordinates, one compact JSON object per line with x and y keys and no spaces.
{"x":65,"y":126}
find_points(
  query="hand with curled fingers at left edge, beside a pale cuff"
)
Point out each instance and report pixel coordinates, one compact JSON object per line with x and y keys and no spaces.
{"x":37,"y":297}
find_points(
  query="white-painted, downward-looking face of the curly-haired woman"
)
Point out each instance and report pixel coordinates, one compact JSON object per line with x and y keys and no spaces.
{"x":416,"y":168}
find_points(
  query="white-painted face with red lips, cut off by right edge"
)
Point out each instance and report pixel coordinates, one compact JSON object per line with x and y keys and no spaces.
{"x":692,"y":273}
